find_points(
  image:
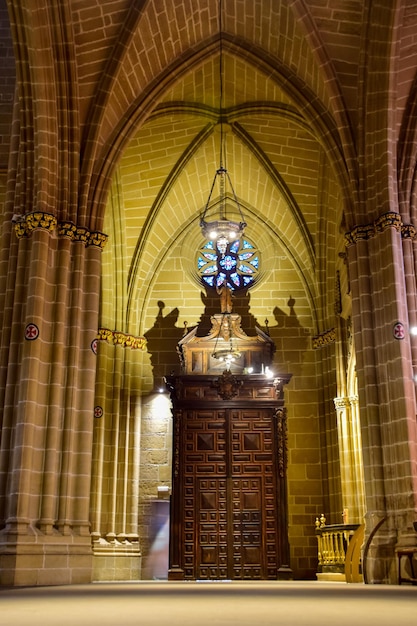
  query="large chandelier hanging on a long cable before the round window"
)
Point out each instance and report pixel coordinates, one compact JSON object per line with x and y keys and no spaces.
{"x":222,"y":231}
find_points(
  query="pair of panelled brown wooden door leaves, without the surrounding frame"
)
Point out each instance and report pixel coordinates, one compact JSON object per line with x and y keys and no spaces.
{"x":218,"y":446}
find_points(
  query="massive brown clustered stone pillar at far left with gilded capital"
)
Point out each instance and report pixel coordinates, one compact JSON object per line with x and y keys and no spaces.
{"x":48,"y":368}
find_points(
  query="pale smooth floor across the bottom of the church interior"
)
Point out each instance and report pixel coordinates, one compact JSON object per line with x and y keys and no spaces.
{"x":215,"y":604}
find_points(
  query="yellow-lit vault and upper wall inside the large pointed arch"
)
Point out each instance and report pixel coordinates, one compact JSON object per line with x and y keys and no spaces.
{"x":280,"y":174}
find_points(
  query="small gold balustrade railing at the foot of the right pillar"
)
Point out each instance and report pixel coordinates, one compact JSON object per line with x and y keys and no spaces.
{"x":339,"y":551}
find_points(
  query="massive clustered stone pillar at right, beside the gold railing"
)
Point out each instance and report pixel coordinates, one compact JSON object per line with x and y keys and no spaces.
{"x":386,"y":390}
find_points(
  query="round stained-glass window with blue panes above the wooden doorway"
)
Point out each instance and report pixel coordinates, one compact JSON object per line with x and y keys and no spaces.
{"x":239,"y":265}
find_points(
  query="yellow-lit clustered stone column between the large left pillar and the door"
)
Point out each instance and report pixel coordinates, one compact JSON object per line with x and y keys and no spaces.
{"x":116,"y":456}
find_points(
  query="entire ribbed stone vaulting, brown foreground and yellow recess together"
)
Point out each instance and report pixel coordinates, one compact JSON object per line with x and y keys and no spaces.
{"x":308,"y":86}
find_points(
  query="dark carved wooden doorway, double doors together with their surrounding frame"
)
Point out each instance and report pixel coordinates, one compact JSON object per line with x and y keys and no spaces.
{"x":228,"y":510}
